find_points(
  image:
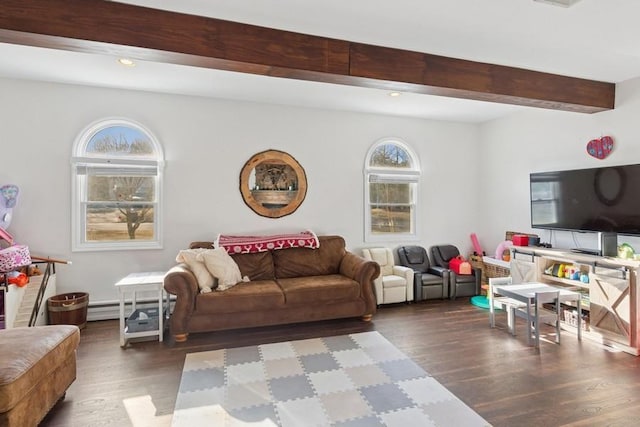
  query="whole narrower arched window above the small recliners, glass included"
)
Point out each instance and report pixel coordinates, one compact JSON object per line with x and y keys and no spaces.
{"x":392,"y":175}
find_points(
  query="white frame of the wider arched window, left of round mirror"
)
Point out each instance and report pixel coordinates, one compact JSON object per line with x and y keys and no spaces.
{"x":82,"y":161}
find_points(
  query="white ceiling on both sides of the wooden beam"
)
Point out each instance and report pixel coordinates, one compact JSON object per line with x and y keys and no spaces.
{"x":594,"y":39}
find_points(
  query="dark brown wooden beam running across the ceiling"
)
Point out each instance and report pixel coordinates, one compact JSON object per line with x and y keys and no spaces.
{"x":105,"y":27}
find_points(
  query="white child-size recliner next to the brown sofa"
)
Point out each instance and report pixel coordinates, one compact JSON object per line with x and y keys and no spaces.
{"x":395,"y":283}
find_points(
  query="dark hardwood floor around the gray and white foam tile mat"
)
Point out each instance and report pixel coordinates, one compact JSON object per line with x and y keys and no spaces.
{"x":499,"y":376}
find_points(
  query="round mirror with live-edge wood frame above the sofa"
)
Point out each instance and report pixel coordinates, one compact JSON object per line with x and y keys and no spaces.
{"x":273,"y":184}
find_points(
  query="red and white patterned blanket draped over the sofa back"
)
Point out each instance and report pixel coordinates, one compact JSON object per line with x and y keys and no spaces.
{"x":251,"y":244}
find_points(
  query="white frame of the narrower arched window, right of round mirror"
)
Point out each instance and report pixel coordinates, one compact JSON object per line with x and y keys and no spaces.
{"x":409,"y":175}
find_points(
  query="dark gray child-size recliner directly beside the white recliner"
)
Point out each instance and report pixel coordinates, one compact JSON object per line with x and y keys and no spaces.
{"x":428,"y":283}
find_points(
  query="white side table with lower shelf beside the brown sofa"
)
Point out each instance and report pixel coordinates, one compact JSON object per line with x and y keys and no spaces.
{"x":141,"y":282}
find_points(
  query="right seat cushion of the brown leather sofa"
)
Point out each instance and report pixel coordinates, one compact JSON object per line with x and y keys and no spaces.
{"x":318,"y":289}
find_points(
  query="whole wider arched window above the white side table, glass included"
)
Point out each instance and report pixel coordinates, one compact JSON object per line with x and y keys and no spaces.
{"x":117,"y":187}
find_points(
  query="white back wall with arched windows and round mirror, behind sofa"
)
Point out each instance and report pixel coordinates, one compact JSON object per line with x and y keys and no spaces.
{"x":206,"y":143}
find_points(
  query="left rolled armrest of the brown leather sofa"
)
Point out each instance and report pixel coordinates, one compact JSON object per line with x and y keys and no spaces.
{"x":182,"y":283}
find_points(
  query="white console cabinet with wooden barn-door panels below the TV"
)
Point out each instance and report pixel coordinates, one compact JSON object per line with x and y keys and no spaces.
{"x":610,"y":301}
